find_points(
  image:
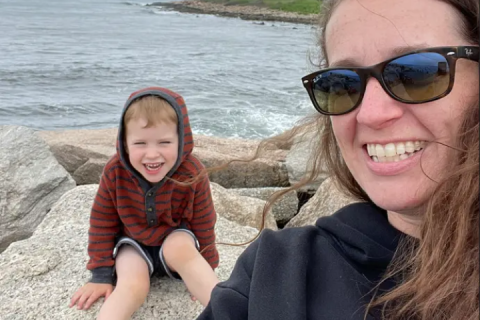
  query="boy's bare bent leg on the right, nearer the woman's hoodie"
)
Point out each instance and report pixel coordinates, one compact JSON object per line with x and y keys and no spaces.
{"x":182,"y":256}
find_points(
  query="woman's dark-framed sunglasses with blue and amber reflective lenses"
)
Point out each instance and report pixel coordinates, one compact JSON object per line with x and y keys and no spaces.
{"x":416,"y":77}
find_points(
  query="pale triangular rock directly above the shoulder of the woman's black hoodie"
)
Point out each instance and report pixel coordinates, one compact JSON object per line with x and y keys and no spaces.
{"x":326,"y":201}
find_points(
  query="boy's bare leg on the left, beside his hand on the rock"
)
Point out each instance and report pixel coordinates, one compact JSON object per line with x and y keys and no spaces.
{"x":133,"y":284}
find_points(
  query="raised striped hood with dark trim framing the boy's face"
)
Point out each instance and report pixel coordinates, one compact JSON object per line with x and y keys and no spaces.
{"x":185,"y":137}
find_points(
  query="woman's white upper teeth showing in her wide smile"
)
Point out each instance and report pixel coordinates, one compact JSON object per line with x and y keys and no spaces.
{"x":393,"y":152}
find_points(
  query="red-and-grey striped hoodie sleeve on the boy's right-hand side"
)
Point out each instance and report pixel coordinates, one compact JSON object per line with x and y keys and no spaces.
{"x":203,"y":221}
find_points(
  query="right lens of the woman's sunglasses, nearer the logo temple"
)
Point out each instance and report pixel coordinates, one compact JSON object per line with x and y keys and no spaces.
{"x":418,"y":77}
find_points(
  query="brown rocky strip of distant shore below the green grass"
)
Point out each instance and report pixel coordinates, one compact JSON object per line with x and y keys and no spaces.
{"x":243,"y":12}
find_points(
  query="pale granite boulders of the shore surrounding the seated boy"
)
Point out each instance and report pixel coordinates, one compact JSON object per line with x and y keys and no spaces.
{"x":48,"y":180}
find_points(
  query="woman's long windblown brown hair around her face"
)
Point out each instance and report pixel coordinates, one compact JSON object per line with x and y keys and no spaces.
{"x":439,"y":276}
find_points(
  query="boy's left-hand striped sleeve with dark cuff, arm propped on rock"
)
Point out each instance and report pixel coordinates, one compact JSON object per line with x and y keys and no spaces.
{"x":104,"y":226}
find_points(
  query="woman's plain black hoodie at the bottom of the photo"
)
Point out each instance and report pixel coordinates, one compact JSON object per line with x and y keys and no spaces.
{"x":326,"y":271}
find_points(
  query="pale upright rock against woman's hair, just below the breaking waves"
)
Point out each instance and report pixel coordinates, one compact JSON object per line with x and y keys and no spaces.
{"x":297,"y":160}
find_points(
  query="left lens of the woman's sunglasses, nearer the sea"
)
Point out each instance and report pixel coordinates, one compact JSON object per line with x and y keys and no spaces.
{"x":337,"y":91}
